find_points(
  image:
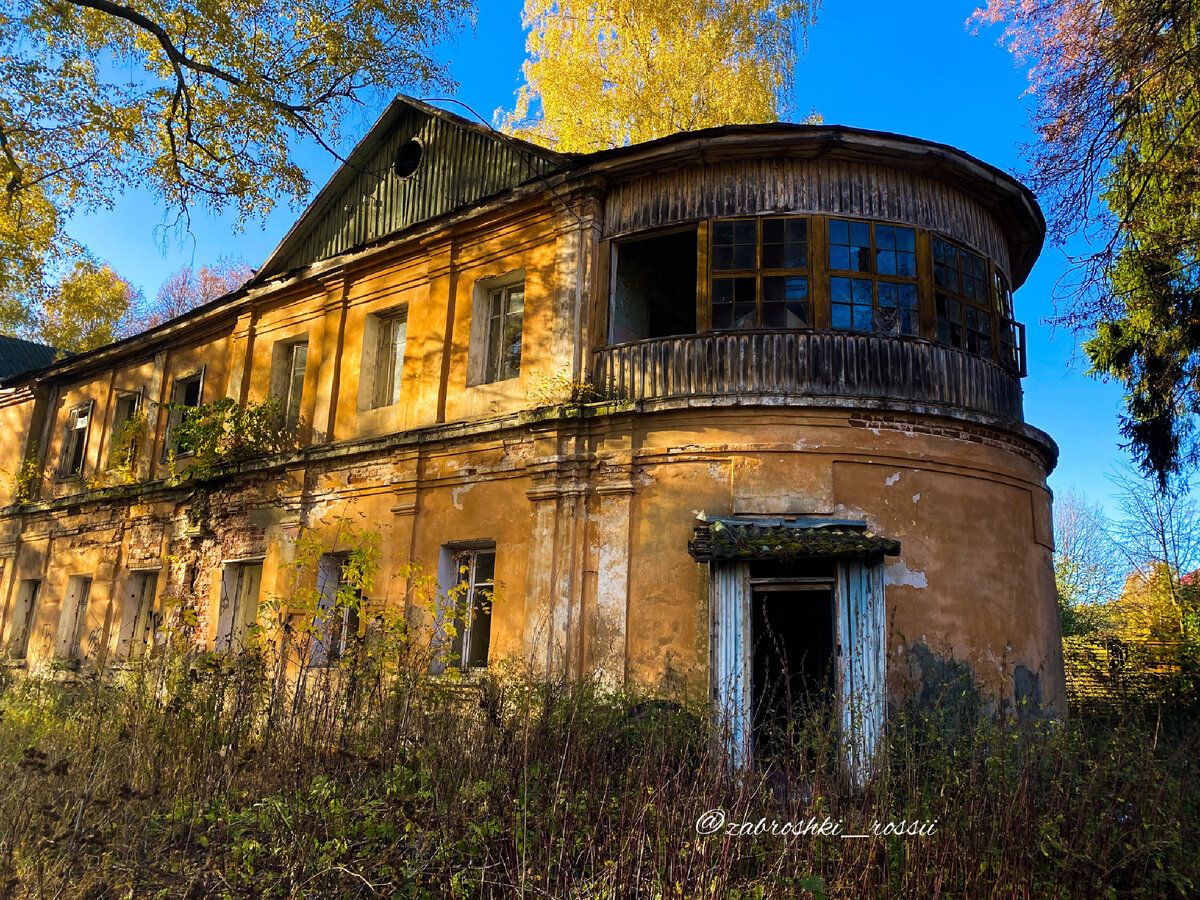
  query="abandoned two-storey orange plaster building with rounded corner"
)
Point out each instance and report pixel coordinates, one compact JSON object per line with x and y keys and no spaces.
{"x":694,"y":412}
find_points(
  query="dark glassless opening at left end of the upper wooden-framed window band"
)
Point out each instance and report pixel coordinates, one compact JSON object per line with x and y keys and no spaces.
{"x":655,"y":287}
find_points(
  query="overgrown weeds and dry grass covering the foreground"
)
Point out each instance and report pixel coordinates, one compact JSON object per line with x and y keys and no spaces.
{"x":203,"y":777}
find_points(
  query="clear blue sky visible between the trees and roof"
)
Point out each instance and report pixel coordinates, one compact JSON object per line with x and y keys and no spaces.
{"x":908,"y":68}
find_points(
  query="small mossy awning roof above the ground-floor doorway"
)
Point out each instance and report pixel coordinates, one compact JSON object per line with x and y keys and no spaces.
{"x":784,"y":539}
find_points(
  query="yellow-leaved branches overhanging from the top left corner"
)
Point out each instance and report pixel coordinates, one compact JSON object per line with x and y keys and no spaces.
{"x":200,"y":103}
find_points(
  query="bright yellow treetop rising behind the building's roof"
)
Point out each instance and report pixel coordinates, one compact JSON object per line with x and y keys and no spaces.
{"x":616,"y":73}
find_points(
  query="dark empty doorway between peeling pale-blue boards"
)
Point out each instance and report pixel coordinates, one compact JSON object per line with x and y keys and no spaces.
{"x":793,"y":641}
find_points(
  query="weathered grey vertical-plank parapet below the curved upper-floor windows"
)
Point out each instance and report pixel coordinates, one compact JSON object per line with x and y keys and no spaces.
{"x":808,"y":364}
